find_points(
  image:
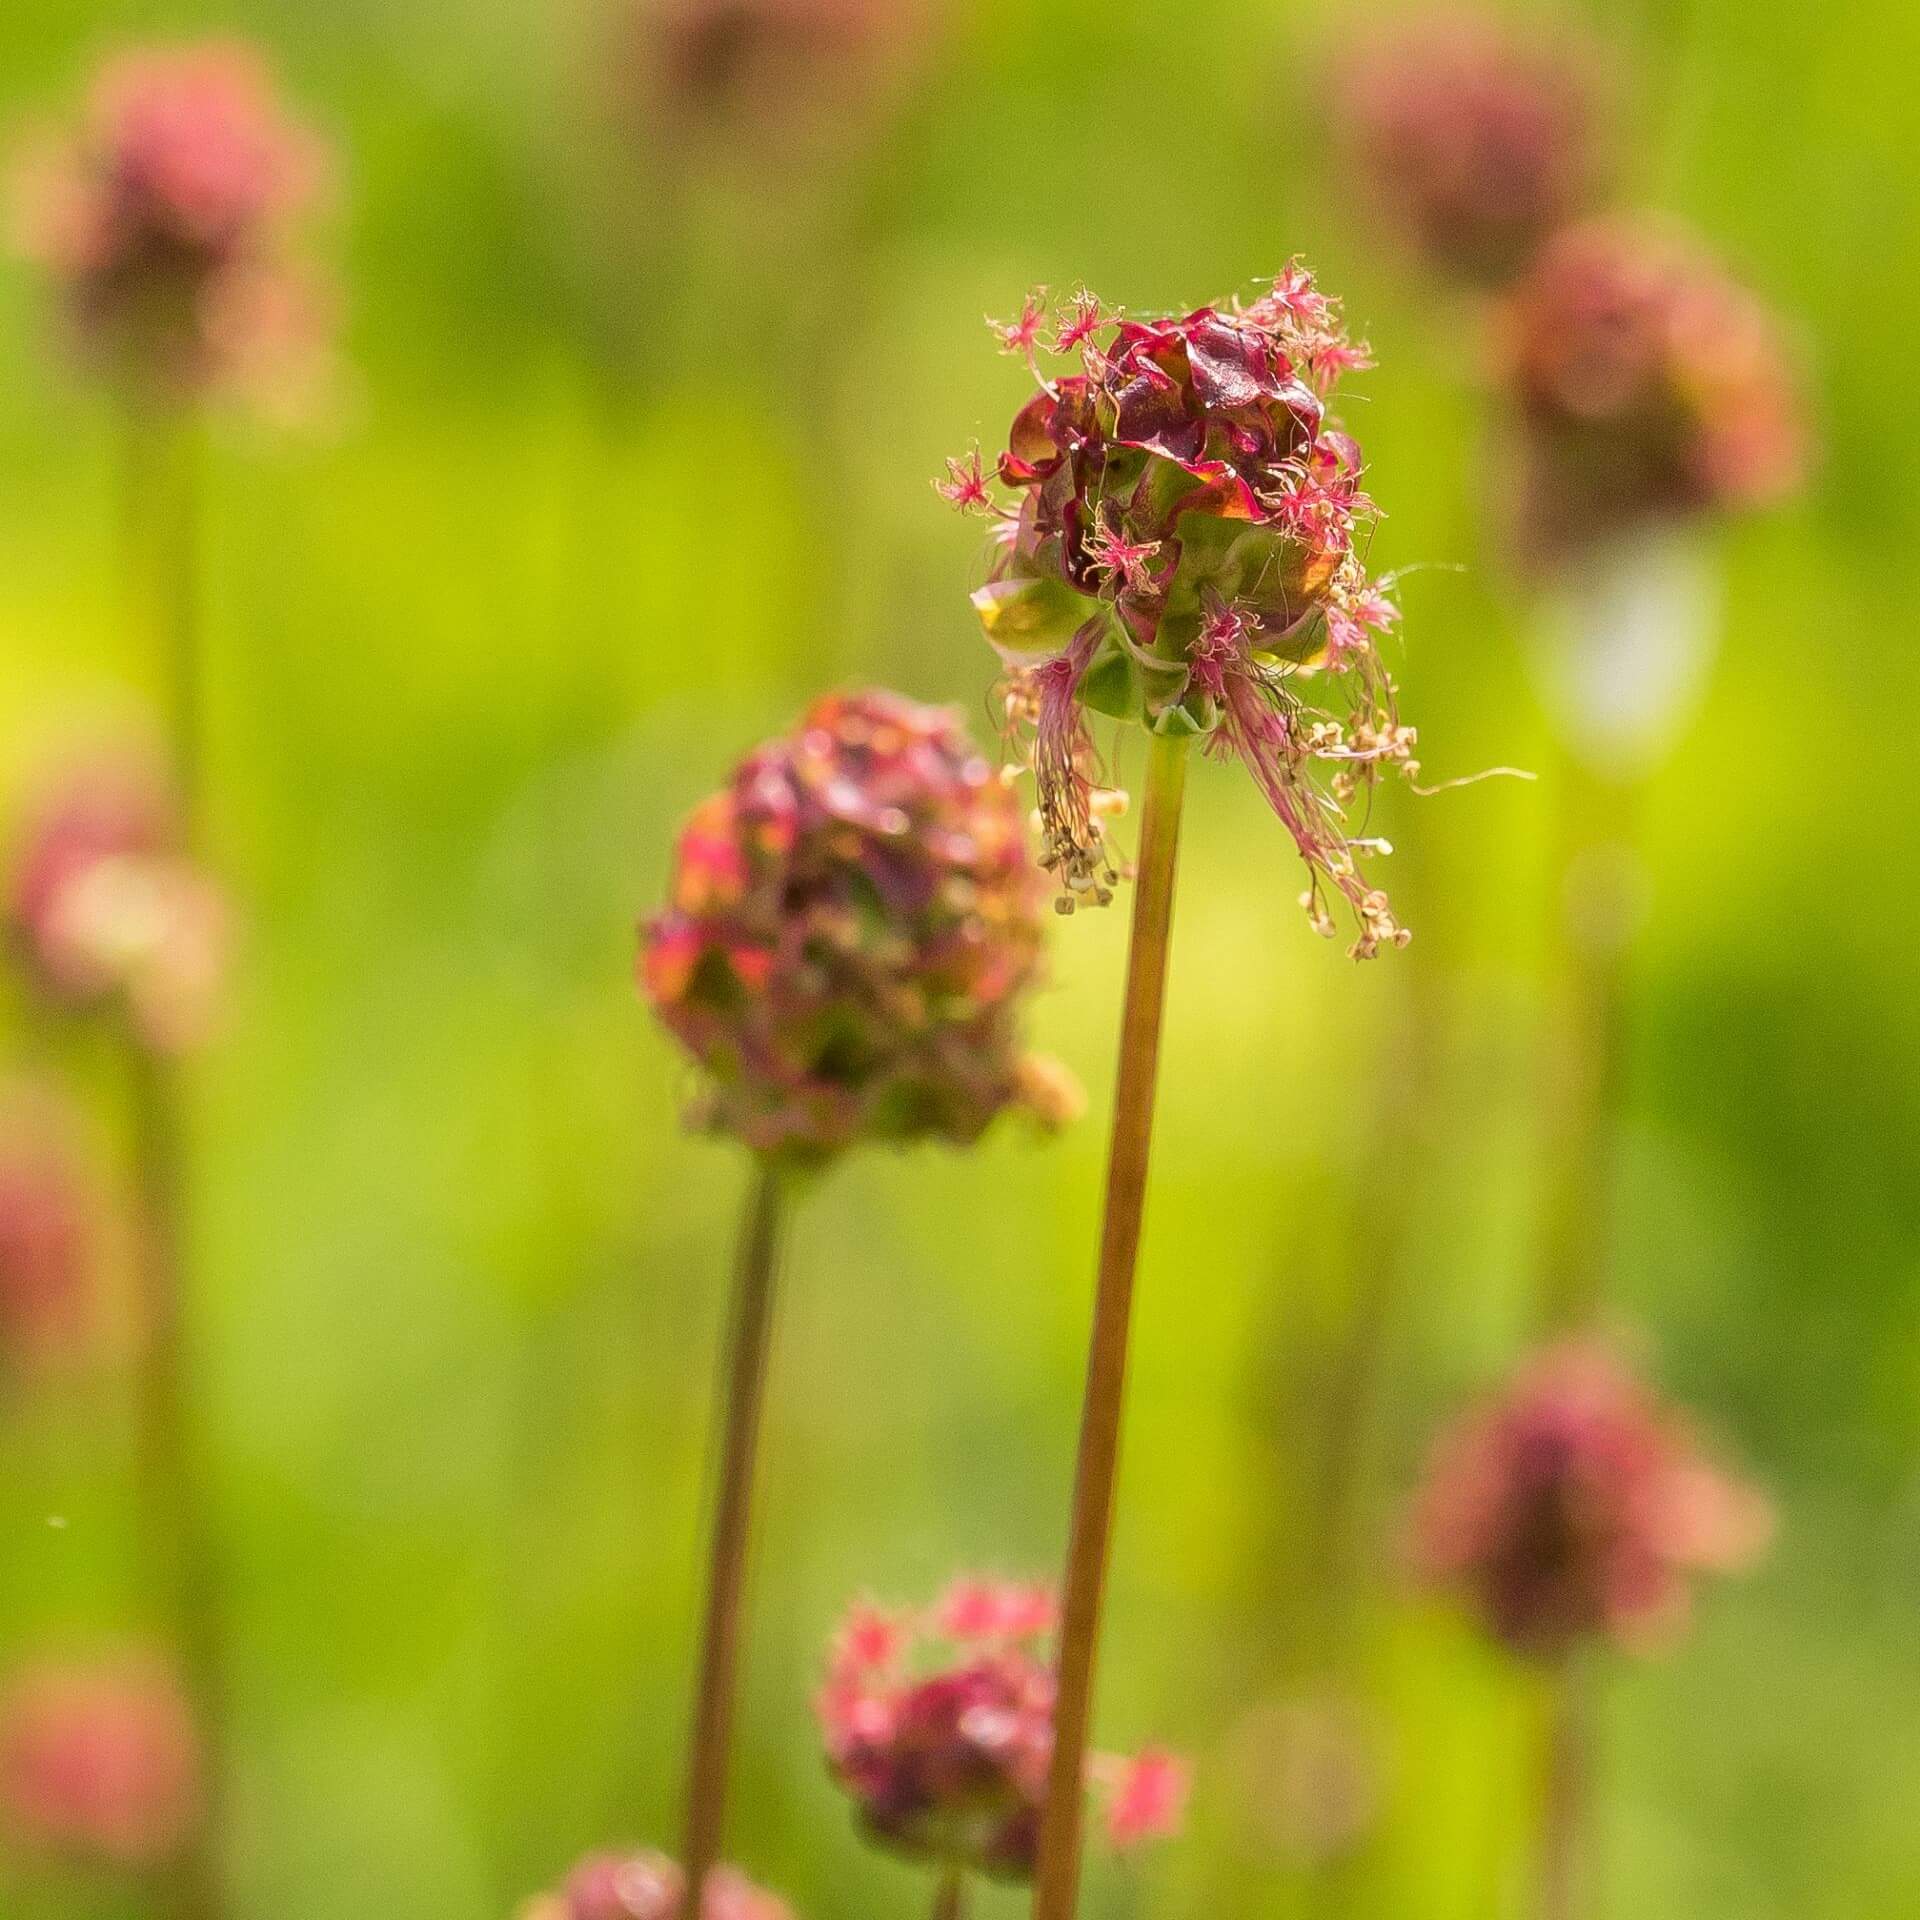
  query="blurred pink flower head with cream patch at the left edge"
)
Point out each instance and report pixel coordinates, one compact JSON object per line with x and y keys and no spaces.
{"x":107,"y":913}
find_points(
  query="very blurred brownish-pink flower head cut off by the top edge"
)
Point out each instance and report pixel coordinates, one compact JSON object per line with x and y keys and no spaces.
{"x":767,"y":74}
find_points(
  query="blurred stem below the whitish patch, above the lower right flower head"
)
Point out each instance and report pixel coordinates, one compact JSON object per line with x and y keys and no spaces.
{"x":1589,"y":1055}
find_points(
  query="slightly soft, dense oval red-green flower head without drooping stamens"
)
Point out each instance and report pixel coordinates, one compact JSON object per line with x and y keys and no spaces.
{"x":852,"y":926}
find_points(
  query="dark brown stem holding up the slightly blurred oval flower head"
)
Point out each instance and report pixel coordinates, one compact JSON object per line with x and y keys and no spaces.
{"x":744,"y":1393}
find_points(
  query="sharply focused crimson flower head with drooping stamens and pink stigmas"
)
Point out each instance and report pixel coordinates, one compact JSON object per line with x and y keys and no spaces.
{"x":1184,"y":546}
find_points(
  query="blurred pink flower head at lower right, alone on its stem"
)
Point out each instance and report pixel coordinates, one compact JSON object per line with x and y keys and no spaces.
{"x":1577,"y":1508}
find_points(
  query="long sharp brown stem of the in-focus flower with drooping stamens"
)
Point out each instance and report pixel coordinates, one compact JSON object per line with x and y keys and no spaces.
{"x":1057,"y":1879}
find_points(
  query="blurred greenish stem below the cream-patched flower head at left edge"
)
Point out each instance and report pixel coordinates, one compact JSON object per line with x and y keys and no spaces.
{"x":172,"y":1474}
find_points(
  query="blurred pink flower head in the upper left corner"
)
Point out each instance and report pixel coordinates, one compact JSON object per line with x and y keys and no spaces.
{"x":168,"y":222}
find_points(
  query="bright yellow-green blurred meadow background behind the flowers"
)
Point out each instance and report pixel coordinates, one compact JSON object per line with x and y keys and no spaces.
{"x":604,"y":502}
